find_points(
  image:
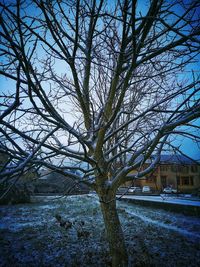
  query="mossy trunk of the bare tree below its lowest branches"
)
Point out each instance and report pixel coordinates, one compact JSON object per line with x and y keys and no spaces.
{"x":114,"y":232}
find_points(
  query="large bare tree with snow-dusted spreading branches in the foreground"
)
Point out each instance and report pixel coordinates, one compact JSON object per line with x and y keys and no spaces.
{"x":100,"y":88}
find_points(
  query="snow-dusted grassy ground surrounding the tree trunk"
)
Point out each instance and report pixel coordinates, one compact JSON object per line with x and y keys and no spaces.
{"x":30,"y":235}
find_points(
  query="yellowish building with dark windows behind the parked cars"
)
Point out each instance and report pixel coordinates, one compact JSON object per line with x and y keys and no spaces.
{"x":176,"y":171}
